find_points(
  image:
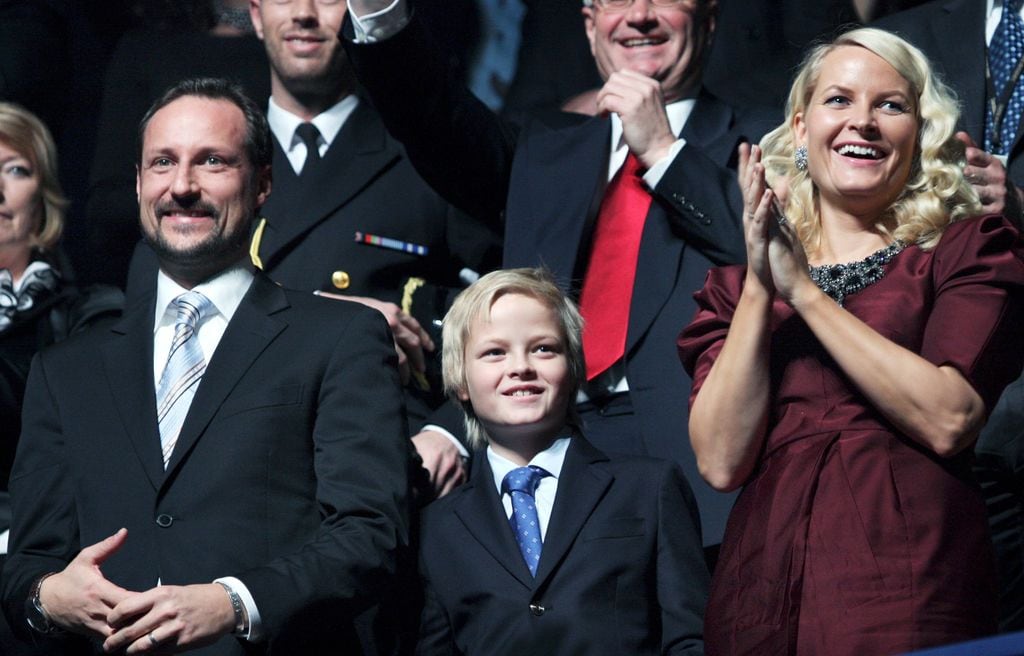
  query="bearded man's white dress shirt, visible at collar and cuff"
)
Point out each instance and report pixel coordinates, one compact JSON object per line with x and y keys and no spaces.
{"x":226,"y":292}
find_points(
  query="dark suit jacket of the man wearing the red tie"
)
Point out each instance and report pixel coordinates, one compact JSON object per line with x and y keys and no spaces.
{"x":545,"y":184}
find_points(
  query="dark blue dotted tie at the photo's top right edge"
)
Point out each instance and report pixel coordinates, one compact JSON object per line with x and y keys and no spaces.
{"x":1005,"y":53}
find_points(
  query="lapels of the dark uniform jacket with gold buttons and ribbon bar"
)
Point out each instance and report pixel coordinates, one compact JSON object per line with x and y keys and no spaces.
{"x":360,"y":153}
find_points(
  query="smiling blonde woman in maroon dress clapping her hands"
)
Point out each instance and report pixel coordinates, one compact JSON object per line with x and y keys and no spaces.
{"x":842,"y":377}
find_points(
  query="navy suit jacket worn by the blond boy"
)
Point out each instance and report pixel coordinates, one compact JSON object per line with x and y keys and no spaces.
{"x":622,"y":571}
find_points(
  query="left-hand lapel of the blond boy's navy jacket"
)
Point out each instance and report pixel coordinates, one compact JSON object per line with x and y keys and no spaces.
{"x":482,"y":513}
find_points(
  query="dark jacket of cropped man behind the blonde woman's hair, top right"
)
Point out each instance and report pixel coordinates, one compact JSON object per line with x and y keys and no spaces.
{"x":952,"y":33}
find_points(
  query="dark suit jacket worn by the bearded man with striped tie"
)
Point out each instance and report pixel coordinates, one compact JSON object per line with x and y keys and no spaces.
{"x":289,"y":472}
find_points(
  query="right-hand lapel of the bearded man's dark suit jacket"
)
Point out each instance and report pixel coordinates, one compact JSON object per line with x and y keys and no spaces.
{"x":250,"y":331}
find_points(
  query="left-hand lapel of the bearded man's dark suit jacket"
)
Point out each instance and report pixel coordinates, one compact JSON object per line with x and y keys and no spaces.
{"x":127,"y":359}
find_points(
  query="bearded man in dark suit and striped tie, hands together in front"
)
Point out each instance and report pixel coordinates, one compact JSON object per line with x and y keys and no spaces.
{"x":224,"y":470}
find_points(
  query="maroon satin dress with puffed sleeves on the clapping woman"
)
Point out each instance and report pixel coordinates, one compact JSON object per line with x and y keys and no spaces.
{"x":849,"y":538}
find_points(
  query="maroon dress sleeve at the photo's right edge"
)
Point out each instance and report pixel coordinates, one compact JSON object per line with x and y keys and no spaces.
{"x":978,"y":313}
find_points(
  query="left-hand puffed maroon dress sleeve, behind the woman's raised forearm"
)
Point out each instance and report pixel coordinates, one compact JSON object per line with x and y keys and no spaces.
{"x":702,"y":341}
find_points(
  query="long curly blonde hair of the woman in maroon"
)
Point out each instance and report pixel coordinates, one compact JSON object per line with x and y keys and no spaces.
{"x":936,"y":192}
